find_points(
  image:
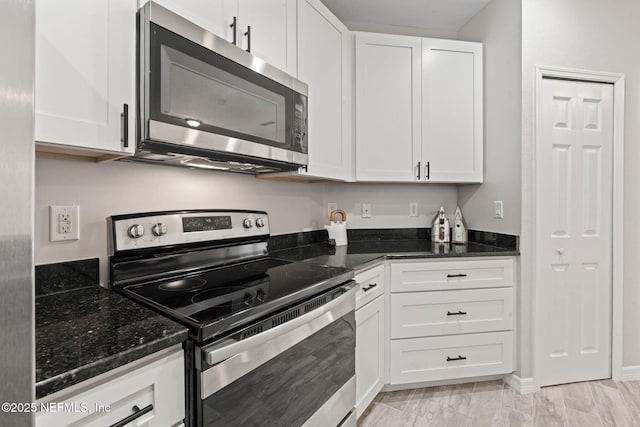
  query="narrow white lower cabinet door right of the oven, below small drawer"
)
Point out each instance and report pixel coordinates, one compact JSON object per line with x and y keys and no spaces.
{"x":369,"y":353}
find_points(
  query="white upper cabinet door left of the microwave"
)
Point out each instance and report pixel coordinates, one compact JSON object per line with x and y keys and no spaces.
{"x":85,"y":73}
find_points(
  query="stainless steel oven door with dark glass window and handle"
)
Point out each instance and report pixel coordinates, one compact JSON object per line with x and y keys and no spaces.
{"x":299,"y":373}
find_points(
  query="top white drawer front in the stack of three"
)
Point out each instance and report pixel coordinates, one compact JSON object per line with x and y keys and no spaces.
{"x":446,"y":275}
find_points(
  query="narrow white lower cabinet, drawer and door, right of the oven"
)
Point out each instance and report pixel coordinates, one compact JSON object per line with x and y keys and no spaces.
{"x":369,"y":336}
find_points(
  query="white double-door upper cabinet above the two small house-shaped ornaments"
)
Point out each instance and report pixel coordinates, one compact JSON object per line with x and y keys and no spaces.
{"x":418,"y":109}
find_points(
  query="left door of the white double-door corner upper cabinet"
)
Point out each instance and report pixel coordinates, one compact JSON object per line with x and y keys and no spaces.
{"x":388,"y":81}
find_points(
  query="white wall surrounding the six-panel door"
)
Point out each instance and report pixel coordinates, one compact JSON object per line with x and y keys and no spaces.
{"x":591,"y":35}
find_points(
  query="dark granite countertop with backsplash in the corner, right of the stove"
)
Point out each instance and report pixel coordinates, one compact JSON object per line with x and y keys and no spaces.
{"x":358,"y":253}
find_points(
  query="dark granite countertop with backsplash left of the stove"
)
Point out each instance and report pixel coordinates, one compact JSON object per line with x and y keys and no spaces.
{"x":83,"y":330}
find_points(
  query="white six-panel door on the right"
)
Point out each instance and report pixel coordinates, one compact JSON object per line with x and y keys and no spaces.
{"x":574,"y":206}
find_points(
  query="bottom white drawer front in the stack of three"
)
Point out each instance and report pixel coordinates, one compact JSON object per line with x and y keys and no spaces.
{"x":457,"y":356}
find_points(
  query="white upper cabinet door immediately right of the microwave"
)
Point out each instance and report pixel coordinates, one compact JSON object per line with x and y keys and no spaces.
{"x":323,"y":63}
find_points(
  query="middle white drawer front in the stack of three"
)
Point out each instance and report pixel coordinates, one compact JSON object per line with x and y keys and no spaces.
{"x":423,"y":314}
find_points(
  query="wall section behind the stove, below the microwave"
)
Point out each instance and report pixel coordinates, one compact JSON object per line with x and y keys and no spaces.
{"x":115,"y":188}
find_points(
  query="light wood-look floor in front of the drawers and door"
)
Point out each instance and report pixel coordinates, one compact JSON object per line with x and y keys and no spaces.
{"x":595,"y":403}
